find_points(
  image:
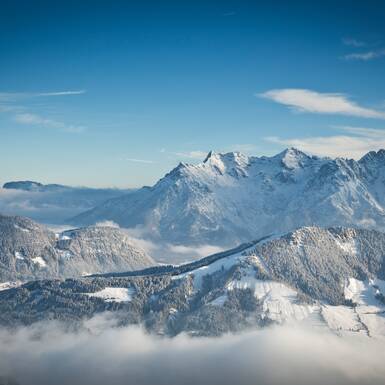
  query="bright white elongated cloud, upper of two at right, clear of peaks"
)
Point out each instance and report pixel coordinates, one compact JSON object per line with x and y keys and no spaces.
{"x":304,"y":100}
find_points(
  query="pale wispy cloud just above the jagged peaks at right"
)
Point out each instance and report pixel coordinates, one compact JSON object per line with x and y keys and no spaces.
{"x":352,"y":142}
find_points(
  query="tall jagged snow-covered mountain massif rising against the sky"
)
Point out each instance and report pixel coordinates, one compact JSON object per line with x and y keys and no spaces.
{"x":232,"y":198}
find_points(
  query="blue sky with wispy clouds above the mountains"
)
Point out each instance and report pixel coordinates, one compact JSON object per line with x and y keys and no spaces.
{"x":116,"y":93}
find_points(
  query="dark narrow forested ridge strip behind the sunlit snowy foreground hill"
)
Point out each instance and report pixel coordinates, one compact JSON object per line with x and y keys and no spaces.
{"x":185,"y":268}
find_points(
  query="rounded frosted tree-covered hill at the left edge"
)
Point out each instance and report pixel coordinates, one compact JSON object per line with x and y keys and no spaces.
{"x":29,"y":251}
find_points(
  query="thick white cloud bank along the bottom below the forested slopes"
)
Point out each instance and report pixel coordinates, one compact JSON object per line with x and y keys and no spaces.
{"x":100,"y":354}
